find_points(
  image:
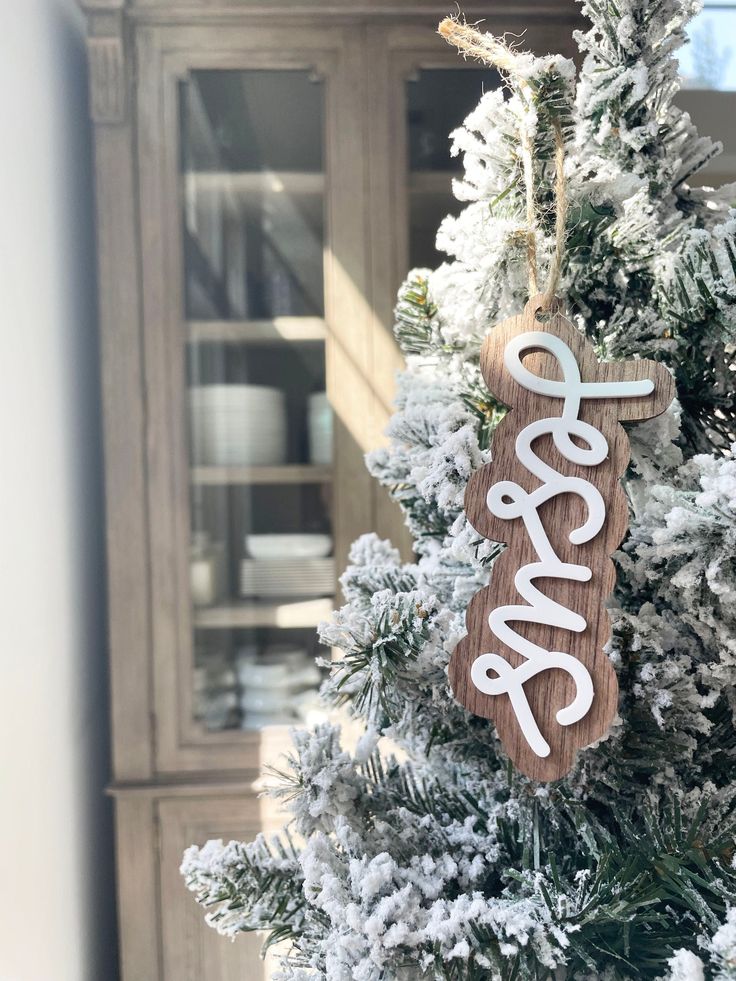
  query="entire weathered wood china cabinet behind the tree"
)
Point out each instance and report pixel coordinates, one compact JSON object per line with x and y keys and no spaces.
{"x":265,"y":176}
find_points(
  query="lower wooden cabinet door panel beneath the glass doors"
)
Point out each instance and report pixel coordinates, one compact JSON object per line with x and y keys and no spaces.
{"x":163,"y":934}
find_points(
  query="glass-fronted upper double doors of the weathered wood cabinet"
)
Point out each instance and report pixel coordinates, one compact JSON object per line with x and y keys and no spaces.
{"x":274,"y":234}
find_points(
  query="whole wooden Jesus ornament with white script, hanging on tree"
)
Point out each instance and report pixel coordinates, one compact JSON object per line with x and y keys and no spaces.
{"x":533,"y":658}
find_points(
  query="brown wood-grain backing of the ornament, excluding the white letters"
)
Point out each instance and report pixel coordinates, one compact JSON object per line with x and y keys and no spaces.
{"x":552,"y":690}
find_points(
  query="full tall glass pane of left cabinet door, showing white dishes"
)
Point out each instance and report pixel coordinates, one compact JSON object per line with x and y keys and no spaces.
{"x":260,"y":427}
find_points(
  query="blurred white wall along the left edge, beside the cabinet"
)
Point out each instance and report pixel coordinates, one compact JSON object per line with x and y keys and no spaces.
{"x":56,"y":880}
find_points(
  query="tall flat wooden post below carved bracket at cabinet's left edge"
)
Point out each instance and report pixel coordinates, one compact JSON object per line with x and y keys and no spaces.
{"x":124,"y":426}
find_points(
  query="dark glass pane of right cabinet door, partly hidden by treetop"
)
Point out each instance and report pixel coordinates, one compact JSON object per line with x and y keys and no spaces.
{"x":437,"y":100}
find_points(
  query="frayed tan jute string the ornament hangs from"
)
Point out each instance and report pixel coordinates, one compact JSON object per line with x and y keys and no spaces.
{"x":498,"y":54}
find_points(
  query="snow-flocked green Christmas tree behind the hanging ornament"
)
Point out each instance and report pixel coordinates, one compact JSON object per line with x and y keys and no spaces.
{"x":450,"y":864}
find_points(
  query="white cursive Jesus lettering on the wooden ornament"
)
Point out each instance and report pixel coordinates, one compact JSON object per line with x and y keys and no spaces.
{"x":507,"y":500}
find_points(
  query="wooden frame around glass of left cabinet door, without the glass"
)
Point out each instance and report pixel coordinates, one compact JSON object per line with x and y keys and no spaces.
{"x":165,"y":55}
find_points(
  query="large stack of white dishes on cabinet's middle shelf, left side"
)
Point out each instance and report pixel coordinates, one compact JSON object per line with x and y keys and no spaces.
{"x":237,"y":425}
